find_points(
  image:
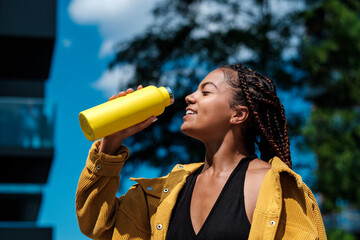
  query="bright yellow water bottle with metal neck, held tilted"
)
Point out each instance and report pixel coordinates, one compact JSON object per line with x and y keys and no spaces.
{"x":123,"y":112}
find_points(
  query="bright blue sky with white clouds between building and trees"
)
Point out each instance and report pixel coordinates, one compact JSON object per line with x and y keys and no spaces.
{"x":79,"y":79}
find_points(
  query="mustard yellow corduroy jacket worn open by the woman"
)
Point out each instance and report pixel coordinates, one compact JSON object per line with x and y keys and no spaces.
{"x":285,"y":209}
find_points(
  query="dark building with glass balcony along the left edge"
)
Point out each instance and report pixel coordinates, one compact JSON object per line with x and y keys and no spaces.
{"x":27,"y":38}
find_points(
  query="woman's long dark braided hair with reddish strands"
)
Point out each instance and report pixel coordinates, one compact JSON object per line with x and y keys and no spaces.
{"x":266,"y":114}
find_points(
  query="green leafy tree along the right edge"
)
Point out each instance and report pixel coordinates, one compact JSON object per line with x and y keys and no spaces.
{"x":330,"y":59}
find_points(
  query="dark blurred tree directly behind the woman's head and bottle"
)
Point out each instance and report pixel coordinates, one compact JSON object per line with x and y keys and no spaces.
{"x":186,"y":41}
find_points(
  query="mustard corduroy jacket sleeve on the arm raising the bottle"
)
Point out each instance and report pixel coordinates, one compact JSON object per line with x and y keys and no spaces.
{"x":97,"y":207}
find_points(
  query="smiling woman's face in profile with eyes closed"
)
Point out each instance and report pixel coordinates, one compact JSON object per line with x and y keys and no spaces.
{"x":208,"y":112}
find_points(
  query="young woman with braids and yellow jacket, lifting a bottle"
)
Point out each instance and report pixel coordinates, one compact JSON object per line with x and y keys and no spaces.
{"x":232,"y":195}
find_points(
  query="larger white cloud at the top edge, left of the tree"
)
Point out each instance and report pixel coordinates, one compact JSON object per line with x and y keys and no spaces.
{"x":117,"y":20}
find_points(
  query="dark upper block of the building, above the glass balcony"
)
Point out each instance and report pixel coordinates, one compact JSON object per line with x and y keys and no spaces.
{"x":27,"y":36}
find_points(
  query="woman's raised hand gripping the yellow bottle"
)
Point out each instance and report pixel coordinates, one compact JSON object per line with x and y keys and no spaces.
{"x":112,"y":143}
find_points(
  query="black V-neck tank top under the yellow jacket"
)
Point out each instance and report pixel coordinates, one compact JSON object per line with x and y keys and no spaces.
{"x":227,"y":218}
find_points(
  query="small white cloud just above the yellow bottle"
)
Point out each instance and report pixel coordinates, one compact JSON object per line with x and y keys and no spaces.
{"x":114,"y":80}
